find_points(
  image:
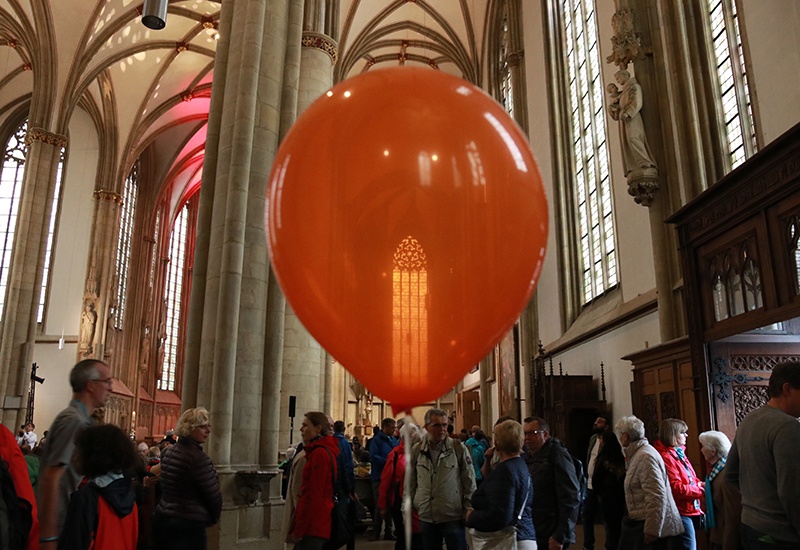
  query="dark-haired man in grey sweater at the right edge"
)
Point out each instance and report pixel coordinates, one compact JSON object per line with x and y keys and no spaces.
{"x":762,"y":463}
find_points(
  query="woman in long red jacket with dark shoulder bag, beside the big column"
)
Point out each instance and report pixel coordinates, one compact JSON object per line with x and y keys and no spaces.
{"x":311,"y":528}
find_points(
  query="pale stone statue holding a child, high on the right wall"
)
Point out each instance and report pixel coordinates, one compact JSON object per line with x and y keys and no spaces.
{"x":626,"y":103}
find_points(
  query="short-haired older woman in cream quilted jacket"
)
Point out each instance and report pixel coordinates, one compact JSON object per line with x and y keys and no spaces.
{"x":652,"y":514}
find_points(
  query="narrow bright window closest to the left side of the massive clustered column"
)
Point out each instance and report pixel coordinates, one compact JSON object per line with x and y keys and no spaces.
{"x":172,"y":299}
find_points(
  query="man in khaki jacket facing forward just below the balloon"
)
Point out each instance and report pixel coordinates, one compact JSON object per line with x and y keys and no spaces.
{"x":441,"y":484}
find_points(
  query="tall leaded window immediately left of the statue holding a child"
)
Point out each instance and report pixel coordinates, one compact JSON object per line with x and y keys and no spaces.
{"x":592,"y":184}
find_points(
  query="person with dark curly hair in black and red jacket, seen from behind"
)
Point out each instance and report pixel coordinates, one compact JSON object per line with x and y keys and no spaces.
{"x":102,"y":514}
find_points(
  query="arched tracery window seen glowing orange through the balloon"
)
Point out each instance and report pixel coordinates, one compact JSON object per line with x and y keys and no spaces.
{"x":410,"y":312}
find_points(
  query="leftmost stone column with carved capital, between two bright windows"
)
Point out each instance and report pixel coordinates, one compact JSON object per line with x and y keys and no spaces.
{"x":27,"y":269}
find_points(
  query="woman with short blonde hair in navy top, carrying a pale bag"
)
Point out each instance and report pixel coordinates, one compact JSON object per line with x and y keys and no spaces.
{"x":507,"y":491}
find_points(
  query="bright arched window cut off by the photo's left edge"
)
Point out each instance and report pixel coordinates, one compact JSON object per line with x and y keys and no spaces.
{"x":10,"y":192}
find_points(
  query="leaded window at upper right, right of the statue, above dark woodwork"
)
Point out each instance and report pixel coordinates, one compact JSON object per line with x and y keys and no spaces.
{"x":728,"y":52}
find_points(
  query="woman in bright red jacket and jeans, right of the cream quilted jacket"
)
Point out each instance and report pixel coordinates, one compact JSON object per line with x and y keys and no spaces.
{"x":687,"y":489}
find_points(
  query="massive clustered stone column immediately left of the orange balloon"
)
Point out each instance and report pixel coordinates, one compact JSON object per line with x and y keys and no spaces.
{"x":227,"y":342}
